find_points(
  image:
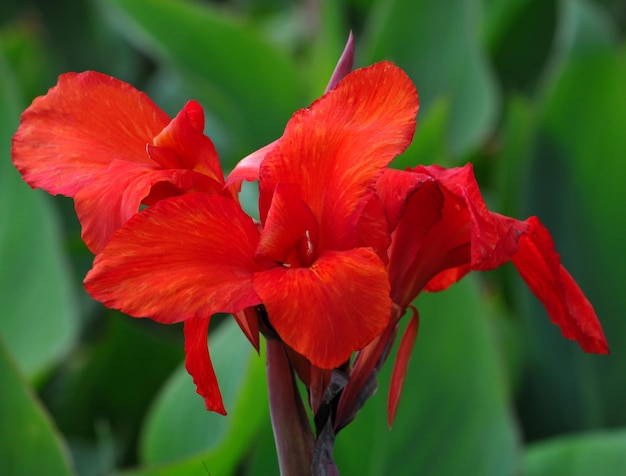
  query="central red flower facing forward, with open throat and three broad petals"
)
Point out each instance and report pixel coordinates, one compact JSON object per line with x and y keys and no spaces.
{"x":324,"y":287}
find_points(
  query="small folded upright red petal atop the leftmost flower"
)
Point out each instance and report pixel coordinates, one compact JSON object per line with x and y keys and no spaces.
{"x":187,"y":145}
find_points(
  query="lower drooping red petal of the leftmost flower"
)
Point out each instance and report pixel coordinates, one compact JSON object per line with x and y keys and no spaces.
{"x":104,"y":205}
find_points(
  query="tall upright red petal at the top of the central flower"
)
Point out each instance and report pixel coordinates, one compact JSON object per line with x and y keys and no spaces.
{"x":336,"y":148}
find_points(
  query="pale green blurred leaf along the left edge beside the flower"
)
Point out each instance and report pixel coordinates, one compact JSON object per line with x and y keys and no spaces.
{"x":40,"y":317}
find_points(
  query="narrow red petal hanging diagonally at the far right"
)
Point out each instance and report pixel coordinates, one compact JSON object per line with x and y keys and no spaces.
{"x":539,"y":264}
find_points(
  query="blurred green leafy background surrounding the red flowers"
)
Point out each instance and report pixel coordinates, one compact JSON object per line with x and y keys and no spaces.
{"x":532,"y":91}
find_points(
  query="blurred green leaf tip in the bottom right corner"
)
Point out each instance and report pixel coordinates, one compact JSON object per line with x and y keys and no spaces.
{"x":578,"y":455}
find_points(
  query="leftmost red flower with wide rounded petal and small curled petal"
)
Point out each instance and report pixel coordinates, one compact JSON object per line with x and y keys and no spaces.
{"x":108,"y":146}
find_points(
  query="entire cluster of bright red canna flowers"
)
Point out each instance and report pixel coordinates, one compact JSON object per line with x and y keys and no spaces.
{"x":343,"y":247}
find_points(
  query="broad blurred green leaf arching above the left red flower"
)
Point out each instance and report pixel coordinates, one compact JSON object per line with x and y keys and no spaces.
{"x":245,"y":80}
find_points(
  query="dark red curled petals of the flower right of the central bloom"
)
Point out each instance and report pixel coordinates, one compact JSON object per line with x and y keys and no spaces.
{"x":436,"y":244}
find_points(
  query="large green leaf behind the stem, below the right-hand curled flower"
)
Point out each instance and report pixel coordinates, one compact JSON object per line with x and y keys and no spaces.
{"x":454,"y":413}
